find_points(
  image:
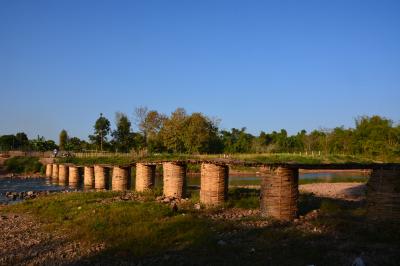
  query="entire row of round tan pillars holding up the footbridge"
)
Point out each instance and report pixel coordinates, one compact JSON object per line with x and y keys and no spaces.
{"x":279,"y":190}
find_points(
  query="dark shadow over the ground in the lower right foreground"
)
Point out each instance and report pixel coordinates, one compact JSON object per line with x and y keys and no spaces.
{"x":336,"y":235}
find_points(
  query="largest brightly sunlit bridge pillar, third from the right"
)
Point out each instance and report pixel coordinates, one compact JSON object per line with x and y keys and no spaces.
{"x":214,"y":183}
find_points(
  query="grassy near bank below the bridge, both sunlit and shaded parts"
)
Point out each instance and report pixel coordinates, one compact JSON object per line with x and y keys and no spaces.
{"x":142,"y":230}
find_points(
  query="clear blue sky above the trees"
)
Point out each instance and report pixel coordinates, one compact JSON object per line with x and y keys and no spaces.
{"x":265,"y":65}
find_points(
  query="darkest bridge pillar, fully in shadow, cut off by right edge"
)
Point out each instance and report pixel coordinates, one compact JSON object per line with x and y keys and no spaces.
{"x":383,"y":195}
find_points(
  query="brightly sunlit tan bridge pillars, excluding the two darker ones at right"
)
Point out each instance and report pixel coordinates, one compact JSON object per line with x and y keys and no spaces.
{"x":214,"y":179}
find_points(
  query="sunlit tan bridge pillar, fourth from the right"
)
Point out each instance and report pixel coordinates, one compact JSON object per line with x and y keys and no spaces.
{"x":174,"y":176}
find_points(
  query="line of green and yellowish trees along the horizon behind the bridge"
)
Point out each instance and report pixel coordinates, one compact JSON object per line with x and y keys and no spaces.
{"x":196,"y":133}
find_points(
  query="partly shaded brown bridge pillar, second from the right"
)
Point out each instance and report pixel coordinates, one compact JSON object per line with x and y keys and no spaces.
{"x":280,"y":193}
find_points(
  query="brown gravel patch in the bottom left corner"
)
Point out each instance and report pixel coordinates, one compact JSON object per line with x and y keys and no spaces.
{"x":22,"y":242}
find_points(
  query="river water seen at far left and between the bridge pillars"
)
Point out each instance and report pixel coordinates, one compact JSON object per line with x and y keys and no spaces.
{"x":44,"y":184}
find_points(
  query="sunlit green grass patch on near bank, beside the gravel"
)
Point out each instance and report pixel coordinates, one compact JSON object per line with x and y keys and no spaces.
{"x":131,"y":227}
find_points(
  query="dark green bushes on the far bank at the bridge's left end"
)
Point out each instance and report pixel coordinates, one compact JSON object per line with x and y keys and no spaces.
{"x":23,"y":165}
